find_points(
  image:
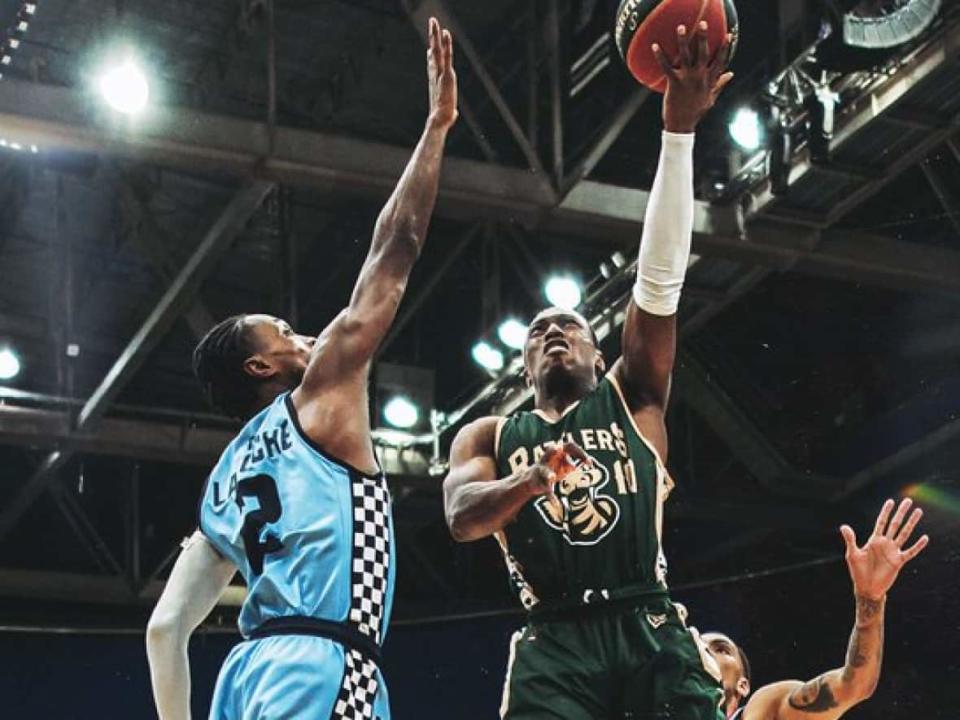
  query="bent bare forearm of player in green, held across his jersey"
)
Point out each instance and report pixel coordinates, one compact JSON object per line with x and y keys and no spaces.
{"x":477,"y":510}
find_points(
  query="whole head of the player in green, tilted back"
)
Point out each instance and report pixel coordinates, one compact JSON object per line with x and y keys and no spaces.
{"x":562,"y":349}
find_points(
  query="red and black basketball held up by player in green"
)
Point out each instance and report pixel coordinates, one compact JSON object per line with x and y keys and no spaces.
{"x":641,"y":23}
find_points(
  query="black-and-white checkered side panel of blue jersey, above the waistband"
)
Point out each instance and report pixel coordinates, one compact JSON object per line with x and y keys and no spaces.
{"x":371,"y":555}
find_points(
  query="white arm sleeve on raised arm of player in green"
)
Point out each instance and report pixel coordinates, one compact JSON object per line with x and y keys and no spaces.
{"x":667,"y":229}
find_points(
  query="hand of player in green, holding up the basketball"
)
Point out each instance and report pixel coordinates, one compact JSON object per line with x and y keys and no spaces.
{"x":696,"y":79}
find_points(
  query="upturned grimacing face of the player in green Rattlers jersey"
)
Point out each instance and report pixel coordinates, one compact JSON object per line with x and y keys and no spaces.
{"x":559,"y":339}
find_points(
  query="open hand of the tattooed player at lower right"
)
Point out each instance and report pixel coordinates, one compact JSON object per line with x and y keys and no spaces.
{"x":875,"y":566}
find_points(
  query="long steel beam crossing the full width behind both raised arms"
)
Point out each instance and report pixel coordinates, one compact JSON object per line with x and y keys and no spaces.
{"x":59,"y":118}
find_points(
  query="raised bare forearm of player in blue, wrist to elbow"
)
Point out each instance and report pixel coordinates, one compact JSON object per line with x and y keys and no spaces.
{"x":406,"y":216}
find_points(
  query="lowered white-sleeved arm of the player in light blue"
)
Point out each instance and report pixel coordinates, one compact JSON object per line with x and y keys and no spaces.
{"x":199,"y":578}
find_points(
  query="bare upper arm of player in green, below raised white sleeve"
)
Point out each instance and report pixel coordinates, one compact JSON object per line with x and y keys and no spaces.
{"x":649,"y":352}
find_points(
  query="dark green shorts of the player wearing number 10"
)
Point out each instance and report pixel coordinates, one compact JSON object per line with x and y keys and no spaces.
{"x":618,"y":661}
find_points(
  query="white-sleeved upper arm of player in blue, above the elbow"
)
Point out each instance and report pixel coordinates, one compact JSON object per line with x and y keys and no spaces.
{"x":196,"y":583}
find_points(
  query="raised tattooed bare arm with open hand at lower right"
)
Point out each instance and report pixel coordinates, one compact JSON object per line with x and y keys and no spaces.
{"x":873,"y":570}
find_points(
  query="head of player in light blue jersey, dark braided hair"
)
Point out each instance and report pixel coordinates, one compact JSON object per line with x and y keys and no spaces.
{"x":247,"y":360}
